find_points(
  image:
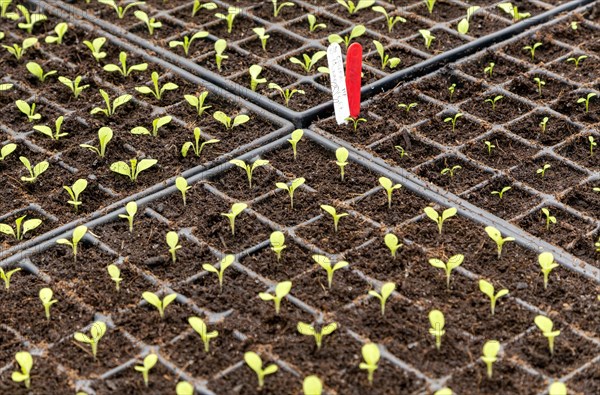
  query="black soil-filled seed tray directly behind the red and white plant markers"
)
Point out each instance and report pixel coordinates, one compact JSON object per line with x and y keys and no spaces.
{"x":244,"y":48}
